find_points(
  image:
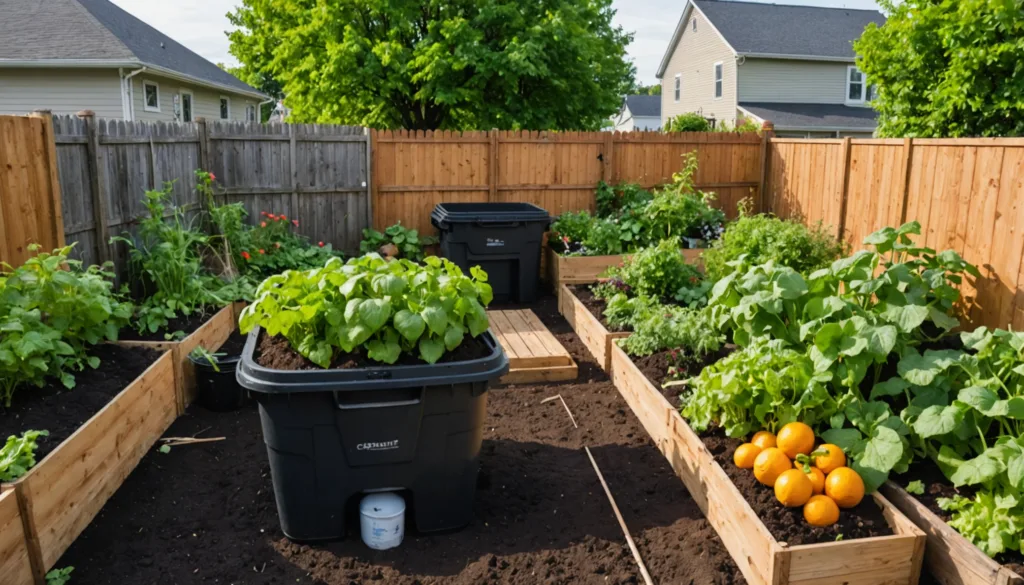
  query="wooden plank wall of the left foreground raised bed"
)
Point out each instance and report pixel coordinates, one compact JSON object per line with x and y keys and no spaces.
{"x":63,"y":493}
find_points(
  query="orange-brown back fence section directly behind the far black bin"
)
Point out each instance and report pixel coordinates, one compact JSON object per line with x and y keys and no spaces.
{"x":413,"y":172}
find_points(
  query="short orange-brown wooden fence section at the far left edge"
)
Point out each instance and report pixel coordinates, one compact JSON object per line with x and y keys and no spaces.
{"x":30,"y":192}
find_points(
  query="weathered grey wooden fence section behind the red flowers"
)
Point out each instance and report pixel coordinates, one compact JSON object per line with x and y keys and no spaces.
{"x":316,"y":175}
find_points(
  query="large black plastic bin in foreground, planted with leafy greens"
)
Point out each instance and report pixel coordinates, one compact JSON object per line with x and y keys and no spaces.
{"x":333,"y":435}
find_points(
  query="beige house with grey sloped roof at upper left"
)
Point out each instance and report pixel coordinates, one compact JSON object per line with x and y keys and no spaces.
{"x":68,"y":56}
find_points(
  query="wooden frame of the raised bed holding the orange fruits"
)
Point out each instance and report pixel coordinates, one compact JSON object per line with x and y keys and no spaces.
{"x":892,"y":560}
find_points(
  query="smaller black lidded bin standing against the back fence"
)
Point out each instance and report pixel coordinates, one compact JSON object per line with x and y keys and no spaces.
{"x":504,"y":239}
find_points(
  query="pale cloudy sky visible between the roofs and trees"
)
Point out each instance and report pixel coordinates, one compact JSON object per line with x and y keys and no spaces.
{"x":200,"y":25}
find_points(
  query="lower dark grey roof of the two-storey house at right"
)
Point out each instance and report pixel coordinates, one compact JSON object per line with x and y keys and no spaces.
{"x":815,"y":116}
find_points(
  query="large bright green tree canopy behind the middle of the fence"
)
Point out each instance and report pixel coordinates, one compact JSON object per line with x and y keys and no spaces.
{"x":440,"y":64}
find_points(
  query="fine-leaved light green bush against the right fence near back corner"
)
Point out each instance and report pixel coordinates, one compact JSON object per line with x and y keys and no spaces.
{"x":760,"y":239}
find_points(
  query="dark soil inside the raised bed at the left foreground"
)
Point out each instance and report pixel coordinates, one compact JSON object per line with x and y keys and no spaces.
{"x":62,"y":412}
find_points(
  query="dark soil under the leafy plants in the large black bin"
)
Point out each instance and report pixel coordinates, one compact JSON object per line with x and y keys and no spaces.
{"x":277,"y":353}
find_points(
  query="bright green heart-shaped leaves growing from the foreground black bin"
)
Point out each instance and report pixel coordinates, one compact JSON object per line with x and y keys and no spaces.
{"x":383,"y":308}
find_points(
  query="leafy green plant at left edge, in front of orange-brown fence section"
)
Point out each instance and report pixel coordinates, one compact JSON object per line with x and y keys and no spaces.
{"x":53,"y":311}
